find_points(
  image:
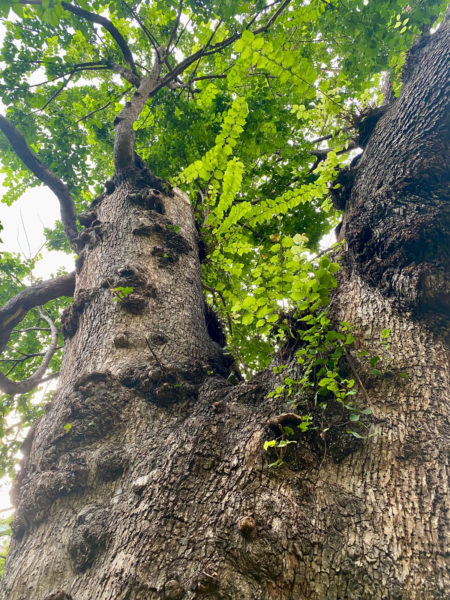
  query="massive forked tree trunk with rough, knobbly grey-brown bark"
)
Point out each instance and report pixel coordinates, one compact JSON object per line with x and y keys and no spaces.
{"x":147,"y":478}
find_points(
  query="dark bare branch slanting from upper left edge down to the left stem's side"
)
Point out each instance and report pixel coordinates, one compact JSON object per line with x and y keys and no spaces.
{"x":60,"y":189}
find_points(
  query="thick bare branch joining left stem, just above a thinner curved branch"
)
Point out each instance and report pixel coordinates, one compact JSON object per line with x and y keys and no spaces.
{"x":36,"y":295}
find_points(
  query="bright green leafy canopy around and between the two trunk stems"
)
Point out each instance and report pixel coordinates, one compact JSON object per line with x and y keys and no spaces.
{"x":238,"y":136}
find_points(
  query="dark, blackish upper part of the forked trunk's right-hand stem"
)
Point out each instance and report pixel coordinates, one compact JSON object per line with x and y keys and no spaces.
{"x":396,"y":201}
